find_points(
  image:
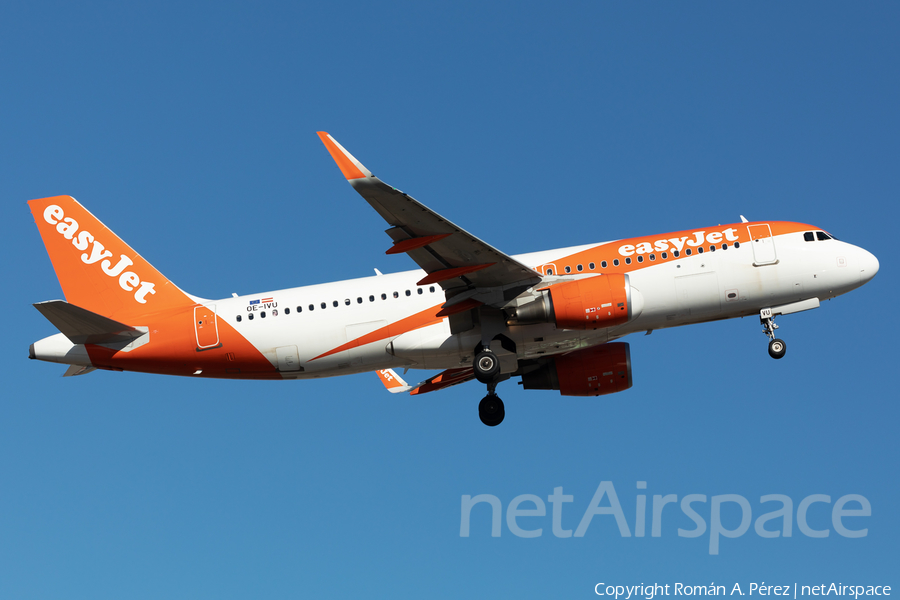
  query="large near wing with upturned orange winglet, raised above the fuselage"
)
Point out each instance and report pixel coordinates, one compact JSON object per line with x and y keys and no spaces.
{"x":466,"y":267}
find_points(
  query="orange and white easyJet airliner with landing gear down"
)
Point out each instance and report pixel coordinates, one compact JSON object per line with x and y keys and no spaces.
{"x":552,"y":317}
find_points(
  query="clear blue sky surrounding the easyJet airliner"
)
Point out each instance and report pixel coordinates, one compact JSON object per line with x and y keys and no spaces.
{"x":190,"y":131}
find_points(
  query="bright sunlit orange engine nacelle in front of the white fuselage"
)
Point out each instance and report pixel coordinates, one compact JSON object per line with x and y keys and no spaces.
{"x":587,"y":303}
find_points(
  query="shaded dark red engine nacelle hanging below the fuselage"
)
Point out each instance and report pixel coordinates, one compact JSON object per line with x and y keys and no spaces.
{"x":593,"y":371}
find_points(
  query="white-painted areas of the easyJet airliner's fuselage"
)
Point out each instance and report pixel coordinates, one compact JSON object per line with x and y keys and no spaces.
{"x":703,"y":287}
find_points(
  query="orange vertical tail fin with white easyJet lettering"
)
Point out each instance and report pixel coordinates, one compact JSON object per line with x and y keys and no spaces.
{"x":96,"y":269}
